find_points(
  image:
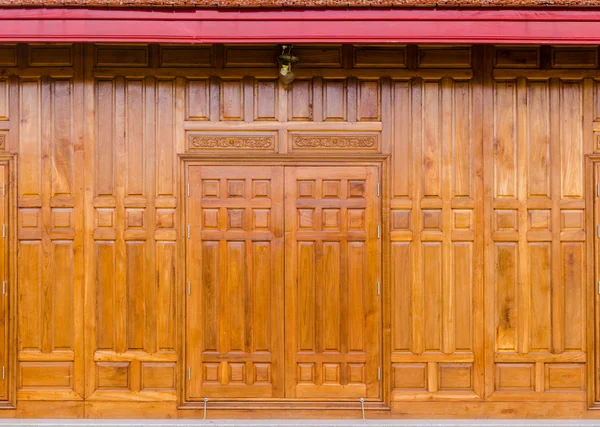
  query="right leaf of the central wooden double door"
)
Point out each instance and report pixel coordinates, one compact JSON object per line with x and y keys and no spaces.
{"x":332,"y":270}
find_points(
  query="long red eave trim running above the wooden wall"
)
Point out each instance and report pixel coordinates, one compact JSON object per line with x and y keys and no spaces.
{"x":512,"y":26}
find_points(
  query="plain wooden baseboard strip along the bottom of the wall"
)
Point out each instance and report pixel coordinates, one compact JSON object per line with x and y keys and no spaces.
{"x":399,"y":410}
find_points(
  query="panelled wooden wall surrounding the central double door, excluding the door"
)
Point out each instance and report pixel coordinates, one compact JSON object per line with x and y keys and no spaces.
{"x":487,"y":307}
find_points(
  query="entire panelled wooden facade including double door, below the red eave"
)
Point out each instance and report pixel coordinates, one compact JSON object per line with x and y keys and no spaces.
{"x":411,"y":225}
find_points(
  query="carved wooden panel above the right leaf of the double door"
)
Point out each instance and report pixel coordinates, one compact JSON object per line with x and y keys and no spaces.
{"x":341,"y":142}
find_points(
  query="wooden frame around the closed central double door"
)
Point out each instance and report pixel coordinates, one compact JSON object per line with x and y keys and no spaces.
{"x":317,"y":159}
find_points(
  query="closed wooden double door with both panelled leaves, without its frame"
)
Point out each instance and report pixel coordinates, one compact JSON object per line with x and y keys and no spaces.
{"x":283,"y":271}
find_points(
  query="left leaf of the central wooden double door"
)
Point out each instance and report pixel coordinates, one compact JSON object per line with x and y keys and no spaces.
{"x":235,"y":301}
